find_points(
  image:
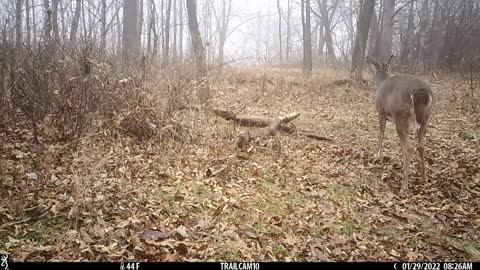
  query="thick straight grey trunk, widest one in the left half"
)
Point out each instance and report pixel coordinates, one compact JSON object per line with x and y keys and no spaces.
{"x":130,"y":35}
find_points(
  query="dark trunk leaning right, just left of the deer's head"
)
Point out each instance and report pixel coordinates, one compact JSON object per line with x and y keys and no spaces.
{"x":363,"y":27}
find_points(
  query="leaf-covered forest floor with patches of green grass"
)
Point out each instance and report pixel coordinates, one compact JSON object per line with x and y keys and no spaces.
{"x":285,"y":198}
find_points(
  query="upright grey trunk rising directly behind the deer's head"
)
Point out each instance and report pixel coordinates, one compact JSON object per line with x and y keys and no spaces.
{"x":387,"y":30}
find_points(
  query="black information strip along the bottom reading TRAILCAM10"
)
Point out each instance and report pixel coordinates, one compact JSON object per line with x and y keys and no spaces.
{"x":243,"y":265}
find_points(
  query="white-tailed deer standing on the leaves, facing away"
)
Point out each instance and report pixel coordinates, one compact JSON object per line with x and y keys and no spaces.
{"x":402,"y":99}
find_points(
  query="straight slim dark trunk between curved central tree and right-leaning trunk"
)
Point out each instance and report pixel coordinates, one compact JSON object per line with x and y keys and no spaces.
{"x":307,"y":39}
